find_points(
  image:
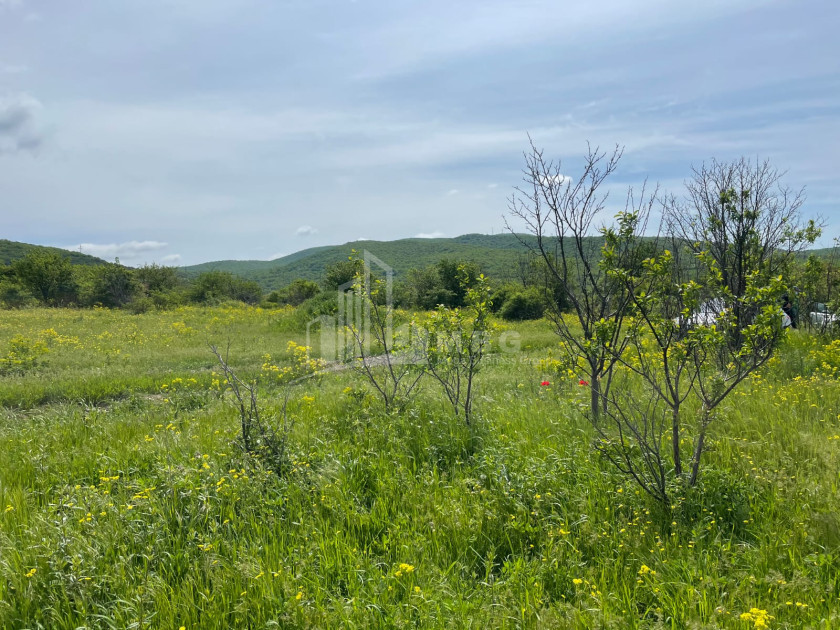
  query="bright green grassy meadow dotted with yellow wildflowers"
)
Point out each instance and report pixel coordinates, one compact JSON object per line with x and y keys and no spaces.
{"x":125,"y":502}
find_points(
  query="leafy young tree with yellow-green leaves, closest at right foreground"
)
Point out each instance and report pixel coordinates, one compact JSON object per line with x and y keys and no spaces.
{"x":681,"y":346}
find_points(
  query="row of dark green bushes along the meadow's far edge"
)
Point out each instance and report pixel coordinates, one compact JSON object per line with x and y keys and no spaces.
{"x":48,"y":278}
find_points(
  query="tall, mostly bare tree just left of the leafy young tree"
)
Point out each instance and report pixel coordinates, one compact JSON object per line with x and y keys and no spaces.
{"x":561,"y":213}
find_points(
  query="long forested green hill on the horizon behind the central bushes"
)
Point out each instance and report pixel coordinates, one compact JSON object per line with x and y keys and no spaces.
{"x":497,"y":255}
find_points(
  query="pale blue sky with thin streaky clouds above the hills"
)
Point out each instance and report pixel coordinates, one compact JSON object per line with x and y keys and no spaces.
{"x":185,"y":131}
